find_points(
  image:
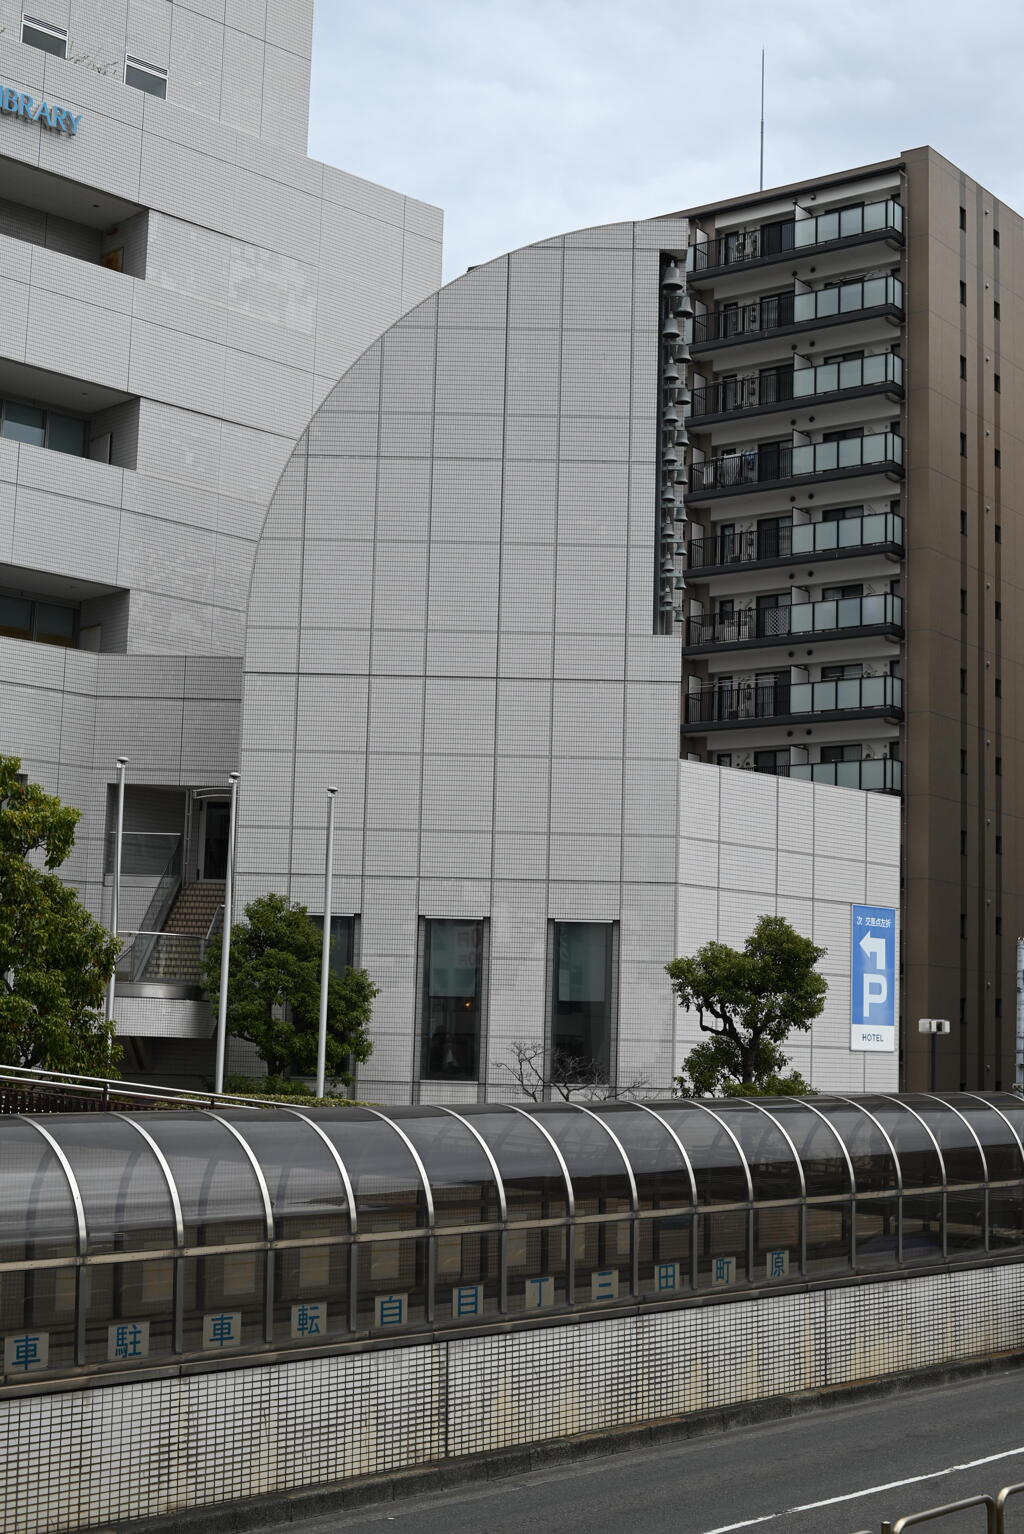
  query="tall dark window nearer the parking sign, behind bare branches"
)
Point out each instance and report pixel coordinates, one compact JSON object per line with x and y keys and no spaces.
{"x":582,"y":1001}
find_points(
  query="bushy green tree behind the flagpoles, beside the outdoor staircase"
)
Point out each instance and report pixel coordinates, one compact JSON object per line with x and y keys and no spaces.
{"x":274,"y":992}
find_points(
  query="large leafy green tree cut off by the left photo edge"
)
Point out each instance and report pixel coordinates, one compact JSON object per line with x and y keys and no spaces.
{"x":56,"y":961}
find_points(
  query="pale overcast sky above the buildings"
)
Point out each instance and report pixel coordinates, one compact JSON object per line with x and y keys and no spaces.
{"x":523,"y":119}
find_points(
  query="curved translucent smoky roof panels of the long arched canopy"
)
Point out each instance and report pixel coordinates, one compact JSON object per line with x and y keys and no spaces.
{"x":80,"y":1185}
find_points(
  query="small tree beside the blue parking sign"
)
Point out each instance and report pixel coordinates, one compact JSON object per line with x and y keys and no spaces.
{"x":749,"y":1002}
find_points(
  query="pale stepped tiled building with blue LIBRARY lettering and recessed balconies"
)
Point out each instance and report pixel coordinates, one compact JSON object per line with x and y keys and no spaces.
{"x":180,"y":289}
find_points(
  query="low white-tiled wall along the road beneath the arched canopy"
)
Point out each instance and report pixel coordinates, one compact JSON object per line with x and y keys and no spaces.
{"x":84,"y":1458}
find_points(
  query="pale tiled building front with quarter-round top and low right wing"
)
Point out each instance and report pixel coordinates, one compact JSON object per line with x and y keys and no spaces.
{"x":451,"y":619}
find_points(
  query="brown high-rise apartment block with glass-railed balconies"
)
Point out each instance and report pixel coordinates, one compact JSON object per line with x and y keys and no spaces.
{"x":848,"y":404}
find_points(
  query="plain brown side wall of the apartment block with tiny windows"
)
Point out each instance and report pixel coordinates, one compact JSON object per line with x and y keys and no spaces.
{"x":965,"y":755}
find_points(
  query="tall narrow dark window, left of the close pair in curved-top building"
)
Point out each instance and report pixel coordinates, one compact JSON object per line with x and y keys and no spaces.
{"x":453,"y":986}
